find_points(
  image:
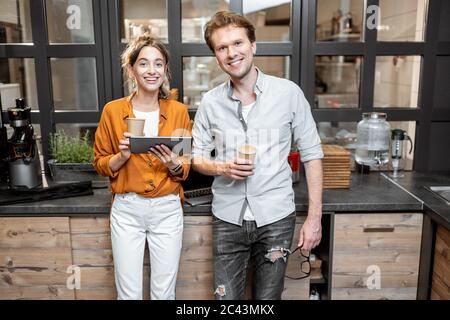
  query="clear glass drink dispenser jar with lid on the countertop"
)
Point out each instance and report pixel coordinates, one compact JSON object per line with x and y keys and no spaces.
{"x":373,"y":139}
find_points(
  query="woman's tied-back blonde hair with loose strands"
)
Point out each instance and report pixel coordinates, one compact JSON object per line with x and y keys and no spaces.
{"x":132,"y":51}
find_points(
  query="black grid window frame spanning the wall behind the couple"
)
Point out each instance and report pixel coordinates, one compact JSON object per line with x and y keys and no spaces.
{"x":302,"y":51}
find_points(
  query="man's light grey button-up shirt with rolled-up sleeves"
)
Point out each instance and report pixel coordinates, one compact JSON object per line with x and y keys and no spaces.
{"x":281,"y":112}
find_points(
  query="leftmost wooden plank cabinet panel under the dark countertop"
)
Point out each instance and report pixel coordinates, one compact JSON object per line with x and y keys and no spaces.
{"x":35,"y":258}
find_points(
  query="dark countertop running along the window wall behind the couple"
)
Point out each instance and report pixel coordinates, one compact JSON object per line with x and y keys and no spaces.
{"x":370,"y":193}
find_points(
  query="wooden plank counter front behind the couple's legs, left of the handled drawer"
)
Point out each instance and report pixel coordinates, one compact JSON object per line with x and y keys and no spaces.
{"x":40,"y":257}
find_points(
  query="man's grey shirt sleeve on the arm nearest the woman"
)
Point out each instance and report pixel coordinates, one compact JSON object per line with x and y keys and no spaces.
{"x":203,"y":141}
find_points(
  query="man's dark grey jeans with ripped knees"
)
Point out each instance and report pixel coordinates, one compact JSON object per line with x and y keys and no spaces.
{"x":266,"y":248}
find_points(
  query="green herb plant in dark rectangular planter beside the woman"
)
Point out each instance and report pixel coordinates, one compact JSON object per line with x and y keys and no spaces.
{"x":72,"y":158}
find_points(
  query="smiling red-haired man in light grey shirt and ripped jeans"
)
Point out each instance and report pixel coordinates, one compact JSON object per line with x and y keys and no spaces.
{"x":253,"y":206}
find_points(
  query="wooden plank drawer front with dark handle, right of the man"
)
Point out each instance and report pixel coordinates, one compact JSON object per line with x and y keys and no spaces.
{"x":376,"y":256}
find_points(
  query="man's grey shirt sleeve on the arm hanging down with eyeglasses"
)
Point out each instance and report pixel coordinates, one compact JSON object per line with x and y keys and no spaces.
{"x":304,"y":128}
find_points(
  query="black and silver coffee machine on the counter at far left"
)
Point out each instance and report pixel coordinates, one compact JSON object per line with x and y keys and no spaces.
{"x":23,"y":156}
